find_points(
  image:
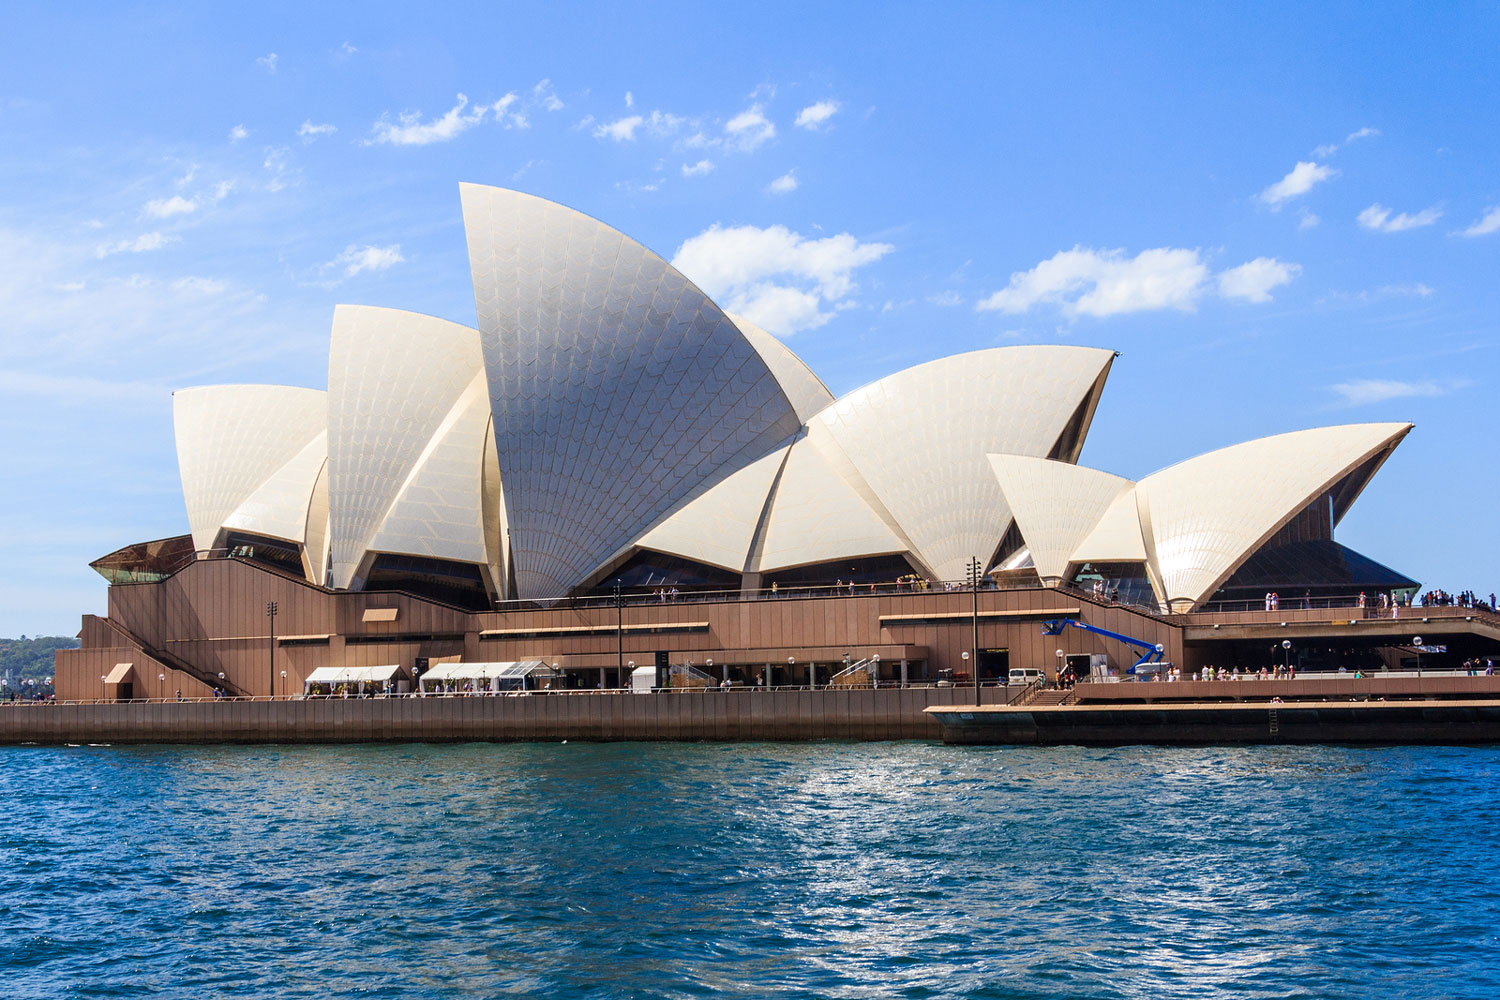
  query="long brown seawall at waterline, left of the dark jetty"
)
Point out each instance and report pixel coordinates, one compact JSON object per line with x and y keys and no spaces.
{"x":679,"y":716}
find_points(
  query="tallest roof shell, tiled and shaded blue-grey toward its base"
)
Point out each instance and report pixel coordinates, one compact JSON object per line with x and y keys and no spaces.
{"x":619,"y":389}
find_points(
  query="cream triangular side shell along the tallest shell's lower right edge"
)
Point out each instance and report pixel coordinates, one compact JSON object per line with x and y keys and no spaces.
{"x":719,"y":527}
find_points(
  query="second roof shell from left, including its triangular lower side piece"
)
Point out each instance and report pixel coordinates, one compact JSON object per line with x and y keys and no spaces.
{"x":395,"y":382}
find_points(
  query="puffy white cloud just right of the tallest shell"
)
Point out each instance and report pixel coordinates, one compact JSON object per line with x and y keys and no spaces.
{"x":778,"y":278}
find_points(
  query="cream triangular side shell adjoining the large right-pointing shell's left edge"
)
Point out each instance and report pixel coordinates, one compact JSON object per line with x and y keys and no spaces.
{"x":820,"y":516}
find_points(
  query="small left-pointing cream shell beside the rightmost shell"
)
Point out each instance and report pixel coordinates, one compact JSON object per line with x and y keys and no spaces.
{"x":1057,"y":506}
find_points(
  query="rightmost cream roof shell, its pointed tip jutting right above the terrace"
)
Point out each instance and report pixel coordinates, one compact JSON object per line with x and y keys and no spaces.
{"x":1208,"y":515}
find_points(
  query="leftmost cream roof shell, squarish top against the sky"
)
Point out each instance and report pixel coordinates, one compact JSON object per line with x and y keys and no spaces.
{"x":233,"y":440}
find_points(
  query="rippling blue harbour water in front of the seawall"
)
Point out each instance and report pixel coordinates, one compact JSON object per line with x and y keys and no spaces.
{"x":749,"y":870}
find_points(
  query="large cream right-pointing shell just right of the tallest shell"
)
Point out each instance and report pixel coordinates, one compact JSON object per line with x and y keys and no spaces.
{"x":920,"y":439}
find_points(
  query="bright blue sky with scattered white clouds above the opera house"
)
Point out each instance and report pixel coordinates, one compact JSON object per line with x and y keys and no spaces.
{"x":1282,"y":217}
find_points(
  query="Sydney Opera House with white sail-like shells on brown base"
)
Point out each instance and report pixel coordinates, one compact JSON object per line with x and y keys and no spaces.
{"x":613,"y":470}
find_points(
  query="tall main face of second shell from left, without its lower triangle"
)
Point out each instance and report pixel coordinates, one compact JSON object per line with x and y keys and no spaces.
{"x":394,"y":382}
